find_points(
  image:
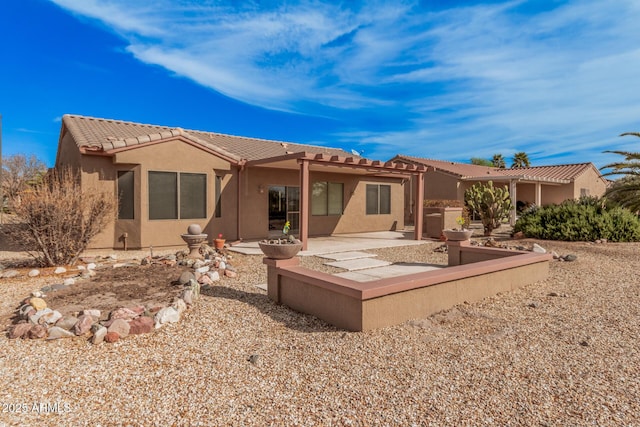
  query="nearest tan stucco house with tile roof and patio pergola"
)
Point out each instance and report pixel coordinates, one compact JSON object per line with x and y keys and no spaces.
{"x":243,"y":188}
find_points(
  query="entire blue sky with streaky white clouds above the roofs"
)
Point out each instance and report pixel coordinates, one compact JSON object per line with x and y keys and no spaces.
{"x":437,"y":79}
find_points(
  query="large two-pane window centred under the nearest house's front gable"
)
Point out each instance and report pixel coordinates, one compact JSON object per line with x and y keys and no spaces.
{"x":177,"y":195}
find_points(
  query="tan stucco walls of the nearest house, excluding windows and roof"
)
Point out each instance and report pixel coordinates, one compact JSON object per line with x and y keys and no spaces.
{"x":99,"y":173}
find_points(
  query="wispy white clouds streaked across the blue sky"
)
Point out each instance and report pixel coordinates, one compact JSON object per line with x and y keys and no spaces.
{"x":471,"y":81}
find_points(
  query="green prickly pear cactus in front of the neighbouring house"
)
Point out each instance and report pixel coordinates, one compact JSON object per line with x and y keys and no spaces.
{"x":493,"y":204}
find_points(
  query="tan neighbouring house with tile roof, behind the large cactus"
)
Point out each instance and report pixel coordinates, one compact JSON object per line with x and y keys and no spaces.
{"x":540,"y":185}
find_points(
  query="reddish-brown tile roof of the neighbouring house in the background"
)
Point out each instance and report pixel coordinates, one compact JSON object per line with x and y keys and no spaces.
{"x":468,"y":171}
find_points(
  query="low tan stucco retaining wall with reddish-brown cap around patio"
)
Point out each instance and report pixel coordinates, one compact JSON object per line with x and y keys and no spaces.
{"x":361,"y":306}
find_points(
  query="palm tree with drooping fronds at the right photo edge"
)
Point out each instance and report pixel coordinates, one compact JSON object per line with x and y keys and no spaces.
{"x":627,"y":189}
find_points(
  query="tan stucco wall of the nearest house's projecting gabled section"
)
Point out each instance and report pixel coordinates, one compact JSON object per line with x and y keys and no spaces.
{"x":100,"y":172}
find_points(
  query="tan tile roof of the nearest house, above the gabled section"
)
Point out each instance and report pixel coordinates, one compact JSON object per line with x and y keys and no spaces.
{"x":96,"y":134}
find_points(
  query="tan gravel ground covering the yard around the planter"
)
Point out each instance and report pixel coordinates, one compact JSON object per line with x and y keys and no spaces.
{"x":562,"y":352}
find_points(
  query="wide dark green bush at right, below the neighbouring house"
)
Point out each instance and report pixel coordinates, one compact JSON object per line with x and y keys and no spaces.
{"x":585,"y":219}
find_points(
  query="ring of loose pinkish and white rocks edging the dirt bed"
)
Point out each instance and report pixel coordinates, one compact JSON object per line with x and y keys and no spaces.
{"x":37,"y":321}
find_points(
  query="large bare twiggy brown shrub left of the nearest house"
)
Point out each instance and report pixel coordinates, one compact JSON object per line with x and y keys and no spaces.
{"x":59,"y":219}
